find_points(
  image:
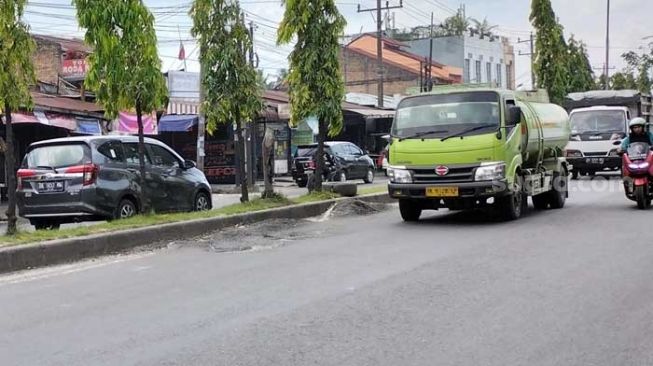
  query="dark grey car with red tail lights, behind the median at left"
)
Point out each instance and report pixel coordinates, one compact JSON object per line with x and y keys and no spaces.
{"x":98,"y":178}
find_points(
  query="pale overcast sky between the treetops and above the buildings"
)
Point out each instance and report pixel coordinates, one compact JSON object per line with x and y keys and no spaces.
{"x":631,"y":20}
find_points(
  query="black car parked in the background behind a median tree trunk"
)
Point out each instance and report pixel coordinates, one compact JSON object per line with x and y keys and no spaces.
{"x":346,"y":161}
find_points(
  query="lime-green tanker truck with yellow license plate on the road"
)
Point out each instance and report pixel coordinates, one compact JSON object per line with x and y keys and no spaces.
{"x":467,"y":147}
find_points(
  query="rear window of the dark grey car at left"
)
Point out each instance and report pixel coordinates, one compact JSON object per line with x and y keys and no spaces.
{"x":57,"y":156}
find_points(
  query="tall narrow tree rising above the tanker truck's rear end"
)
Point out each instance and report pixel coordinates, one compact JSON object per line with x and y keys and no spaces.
{"x":550,"y":51}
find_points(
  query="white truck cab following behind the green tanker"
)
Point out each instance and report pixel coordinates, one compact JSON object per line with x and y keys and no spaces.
{"x":595,"y":131}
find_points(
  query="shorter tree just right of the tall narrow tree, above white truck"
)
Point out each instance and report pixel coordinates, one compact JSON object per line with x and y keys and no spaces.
{"x":579,"y":69}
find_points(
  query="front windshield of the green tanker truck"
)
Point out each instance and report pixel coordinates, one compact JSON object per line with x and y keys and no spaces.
{"x":446,"y":114}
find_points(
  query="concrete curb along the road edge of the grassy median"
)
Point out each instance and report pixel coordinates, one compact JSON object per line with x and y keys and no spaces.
{"x":60,"y":251}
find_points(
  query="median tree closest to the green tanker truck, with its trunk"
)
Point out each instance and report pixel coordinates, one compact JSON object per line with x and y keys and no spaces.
{"x":315,"y":80}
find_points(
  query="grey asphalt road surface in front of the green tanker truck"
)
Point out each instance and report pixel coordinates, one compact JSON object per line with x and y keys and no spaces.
{"x":558,"y":287}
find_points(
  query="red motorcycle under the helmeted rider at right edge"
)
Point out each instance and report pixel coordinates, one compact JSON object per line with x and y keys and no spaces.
{"x":638,"y":174}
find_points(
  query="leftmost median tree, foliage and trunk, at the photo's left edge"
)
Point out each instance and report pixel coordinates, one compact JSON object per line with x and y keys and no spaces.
{"x":16,"y":75}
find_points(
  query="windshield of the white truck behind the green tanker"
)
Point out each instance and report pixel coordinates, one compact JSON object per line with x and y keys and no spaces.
{"x":596,"y":122}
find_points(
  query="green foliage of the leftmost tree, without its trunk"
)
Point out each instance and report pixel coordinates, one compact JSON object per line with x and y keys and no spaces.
{"x":16,"y":49}
